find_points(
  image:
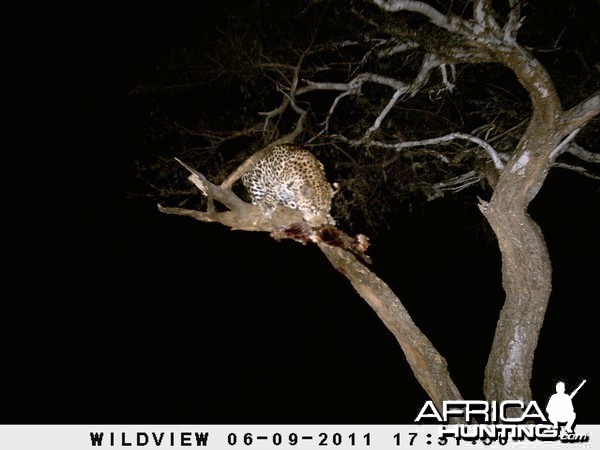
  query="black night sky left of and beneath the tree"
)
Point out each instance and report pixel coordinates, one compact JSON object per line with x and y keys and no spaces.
{"x":113,"y":313}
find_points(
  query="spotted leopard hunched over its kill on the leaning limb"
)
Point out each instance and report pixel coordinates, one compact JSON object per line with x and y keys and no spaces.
{"x":291,"y":176}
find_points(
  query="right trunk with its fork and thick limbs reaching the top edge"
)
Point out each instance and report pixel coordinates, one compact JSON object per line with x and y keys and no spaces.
{"x":526,"y":268}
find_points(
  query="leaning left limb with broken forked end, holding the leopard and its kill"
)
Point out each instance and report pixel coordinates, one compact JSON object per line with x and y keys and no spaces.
{"x":428,"y":365}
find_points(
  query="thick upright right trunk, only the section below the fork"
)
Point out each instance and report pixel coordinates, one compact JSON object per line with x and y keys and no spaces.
{"x":526,"y":267}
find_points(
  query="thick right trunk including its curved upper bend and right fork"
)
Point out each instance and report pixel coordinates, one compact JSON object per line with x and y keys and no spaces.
{"x":526,"y":266}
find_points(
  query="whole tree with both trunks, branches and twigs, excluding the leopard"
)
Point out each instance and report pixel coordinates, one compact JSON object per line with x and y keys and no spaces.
{"x":337,"y":94}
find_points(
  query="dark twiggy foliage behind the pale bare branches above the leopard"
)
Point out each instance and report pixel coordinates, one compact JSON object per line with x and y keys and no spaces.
{"x":247,"y":62}
